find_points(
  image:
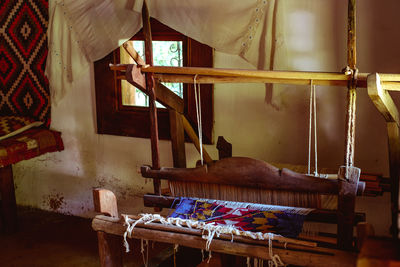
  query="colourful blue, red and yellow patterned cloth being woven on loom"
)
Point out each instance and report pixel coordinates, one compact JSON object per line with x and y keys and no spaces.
{"x":285,"y":221}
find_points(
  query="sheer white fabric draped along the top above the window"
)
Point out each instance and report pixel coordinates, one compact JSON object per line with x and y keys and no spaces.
{"x":93,"y":28}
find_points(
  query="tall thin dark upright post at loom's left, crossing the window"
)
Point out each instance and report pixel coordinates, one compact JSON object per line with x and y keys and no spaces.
{"x":155,"y":155}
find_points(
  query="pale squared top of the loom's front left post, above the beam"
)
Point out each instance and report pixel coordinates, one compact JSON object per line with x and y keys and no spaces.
{"x":105,"y":202}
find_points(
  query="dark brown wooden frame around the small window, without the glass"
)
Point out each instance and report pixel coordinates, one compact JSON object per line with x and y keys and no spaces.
{"x":116,"y":119}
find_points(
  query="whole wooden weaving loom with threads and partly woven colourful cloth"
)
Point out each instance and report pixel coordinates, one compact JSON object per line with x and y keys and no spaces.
{"x":240,"y":179}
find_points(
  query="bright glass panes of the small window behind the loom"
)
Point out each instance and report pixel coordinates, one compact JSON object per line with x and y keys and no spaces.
{"x":165,"y":53}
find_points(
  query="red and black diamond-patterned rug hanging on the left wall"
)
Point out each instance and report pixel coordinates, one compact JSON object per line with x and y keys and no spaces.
{"x":24,"y":89}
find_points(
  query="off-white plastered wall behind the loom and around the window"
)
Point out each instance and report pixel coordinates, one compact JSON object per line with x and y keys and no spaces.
{"x":313,"y":38}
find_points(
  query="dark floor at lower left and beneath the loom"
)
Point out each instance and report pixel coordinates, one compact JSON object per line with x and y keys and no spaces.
{"x":50,"y":239}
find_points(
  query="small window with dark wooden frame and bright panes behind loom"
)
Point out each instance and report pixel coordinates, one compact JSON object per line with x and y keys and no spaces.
{"x":122,"y":109}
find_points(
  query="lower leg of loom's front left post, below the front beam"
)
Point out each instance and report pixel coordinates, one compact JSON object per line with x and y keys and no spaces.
{"x":110,"y":249}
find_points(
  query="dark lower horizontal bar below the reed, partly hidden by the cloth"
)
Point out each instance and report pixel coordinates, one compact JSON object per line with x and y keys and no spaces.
{"x":325,"y":216}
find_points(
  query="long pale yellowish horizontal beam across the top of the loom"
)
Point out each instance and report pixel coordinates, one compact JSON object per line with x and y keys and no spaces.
{"x":211,"y":76}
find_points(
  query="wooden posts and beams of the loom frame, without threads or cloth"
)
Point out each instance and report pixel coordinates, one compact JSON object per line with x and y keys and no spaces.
{"x":110,"y":227}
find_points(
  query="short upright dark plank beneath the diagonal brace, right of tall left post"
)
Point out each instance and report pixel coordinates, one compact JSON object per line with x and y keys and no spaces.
{"x":177,"y":139}
